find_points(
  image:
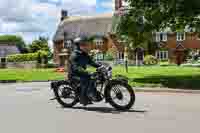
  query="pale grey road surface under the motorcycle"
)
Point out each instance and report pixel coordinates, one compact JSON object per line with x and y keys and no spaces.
{"x":26,"y":108}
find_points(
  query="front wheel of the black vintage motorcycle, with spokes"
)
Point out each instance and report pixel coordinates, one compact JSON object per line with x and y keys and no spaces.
{"x":115,"y":94}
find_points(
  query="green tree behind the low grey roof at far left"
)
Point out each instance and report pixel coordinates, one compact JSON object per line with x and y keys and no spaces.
{"x":17,"y":40}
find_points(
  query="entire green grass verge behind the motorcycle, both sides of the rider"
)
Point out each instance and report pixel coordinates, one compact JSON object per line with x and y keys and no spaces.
{"x":151,"y":76}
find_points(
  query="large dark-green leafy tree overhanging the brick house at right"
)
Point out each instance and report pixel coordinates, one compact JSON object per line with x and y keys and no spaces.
{"x":143,"y":17}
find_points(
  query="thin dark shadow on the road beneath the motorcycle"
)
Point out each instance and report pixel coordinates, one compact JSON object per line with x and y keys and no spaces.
{"x":107,"y":110}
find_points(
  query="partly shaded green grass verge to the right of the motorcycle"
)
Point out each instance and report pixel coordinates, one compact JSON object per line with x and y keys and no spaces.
{"x":155,"y":76}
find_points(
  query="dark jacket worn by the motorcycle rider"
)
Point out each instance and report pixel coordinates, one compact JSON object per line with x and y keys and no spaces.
{"x":78,"y":63}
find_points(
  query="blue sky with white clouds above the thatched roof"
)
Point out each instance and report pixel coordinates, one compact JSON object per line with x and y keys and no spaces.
{"x":33,"y":18}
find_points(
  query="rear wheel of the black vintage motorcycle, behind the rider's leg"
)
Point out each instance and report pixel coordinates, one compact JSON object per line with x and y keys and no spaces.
{"x":65,"y":94}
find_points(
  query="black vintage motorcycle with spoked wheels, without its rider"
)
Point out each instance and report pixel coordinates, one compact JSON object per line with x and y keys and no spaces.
{"x":117,"y":92}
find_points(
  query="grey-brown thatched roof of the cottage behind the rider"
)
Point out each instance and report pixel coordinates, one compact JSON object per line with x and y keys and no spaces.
{"x":84,"y":25}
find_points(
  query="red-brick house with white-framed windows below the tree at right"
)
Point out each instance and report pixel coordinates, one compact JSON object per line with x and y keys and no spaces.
{"x":174,"y":46}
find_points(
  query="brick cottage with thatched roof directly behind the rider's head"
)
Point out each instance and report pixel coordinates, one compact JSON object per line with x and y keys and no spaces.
{"x":98,"y":26}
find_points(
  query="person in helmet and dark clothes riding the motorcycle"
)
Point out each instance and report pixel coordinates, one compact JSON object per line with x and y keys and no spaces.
{"x":79,"y":60}
